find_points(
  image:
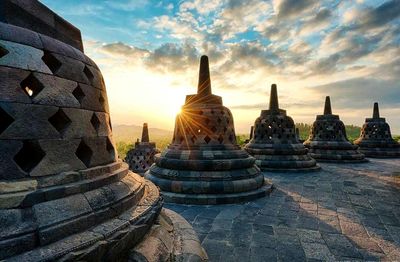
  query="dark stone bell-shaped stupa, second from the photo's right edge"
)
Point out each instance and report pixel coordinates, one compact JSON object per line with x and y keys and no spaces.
{"x":328,"y":142}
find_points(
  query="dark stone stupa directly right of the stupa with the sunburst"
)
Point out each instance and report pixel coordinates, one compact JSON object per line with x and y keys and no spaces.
{"x":274,"y":143}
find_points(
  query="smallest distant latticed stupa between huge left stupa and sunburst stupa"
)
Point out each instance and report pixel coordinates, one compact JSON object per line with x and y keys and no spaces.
{"x":141,"y":157}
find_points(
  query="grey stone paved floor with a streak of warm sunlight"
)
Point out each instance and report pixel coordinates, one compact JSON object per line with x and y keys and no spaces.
{"x":345,"y":213}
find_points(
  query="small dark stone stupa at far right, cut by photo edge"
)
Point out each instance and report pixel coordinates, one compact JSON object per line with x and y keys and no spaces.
{"x":375,"y":138}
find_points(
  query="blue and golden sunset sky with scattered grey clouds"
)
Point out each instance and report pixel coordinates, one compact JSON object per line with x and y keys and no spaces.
{"x":149,"y":51}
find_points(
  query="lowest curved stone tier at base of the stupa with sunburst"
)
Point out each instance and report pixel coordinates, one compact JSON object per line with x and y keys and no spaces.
{"x":215,"y":199}
